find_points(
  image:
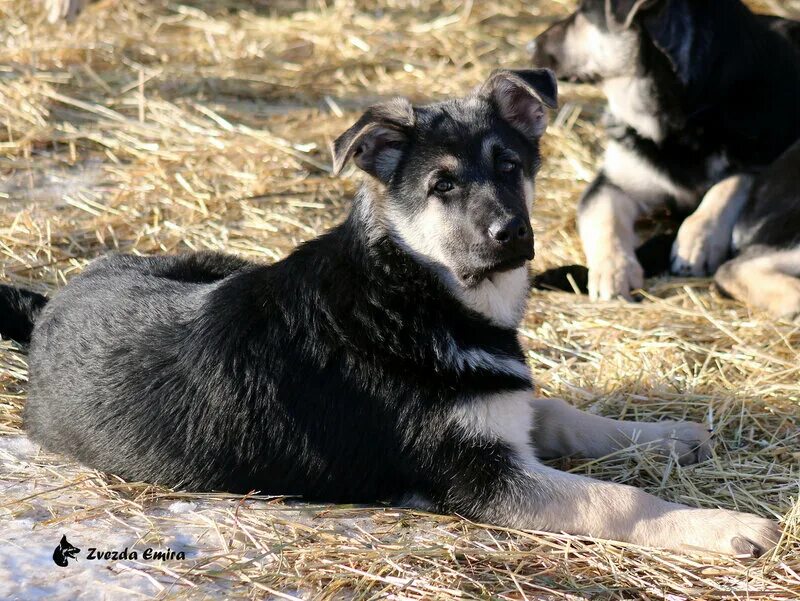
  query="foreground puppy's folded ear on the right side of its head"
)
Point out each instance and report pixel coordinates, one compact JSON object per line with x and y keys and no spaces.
{"x":521,"y":97}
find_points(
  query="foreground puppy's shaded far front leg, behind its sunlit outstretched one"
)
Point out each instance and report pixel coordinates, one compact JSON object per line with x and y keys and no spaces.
{"x":560,"y":429}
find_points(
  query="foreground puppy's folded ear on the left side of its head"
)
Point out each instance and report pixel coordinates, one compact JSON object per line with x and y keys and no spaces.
{"x":377,"y":139}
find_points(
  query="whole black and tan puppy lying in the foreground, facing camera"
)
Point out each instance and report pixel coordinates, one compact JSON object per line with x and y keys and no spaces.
{"x":377,"y":362}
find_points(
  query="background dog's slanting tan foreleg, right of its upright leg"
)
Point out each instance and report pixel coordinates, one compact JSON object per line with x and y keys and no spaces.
{"x":704,"y":238}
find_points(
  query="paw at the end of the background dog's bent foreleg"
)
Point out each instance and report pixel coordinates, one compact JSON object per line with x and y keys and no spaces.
{"x":701,"y":246}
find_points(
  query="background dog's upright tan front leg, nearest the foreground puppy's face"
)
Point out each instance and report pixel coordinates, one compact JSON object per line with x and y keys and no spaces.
{"x":606,"y":218}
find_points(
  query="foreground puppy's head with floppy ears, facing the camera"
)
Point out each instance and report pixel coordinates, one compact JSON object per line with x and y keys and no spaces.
{"x":453,"y":181}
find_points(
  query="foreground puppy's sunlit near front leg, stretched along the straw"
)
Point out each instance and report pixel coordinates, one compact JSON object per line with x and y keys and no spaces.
{"x":490,"y":473}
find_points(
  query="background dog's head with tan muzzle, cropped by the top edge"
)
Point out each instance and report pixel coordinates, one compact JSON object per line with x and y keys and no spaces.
{"x":604,"y":39}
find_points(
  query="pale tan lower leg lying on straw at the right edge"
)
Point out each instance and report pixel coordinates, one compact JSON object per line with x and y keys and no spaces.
{"x":769,"y":281}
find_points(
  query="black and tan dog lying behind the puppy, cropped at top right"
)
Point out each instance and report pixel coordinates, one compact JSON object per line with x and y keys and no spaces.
{"x":699,"y":91}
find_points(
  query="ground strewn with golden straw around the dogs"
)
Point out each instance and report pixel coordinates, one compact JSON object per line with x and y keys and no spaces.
{"x":165,"y":126}
